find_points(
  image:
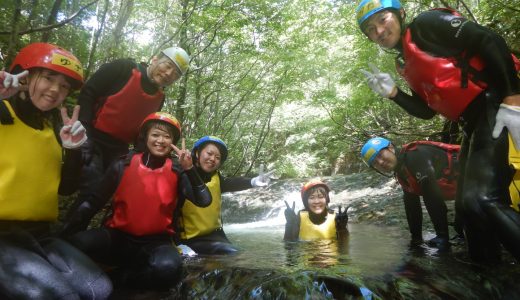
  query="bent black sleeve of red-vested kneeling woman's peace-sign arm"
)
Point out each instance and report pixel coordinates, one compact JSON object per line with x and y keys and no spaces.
{"x":193,"y":188}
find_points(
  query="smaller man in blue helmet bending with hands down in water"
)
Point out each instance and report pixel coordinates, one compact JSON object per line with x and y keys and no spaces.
{"x":422,"y":168}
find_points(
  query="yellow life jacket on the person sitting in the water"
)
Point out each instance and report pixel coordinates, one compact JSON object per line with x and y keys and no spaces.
{"x":311,"y":231}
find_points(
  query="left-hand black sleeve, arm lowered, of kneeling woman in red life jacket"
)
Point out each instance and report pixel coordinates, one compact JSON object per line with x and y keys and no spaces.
{"x":78,"y":218}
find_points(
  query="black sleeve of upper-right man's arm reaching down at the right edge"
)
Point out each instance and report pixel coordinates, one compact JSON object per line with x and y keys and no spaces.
{"x":438,"y":32}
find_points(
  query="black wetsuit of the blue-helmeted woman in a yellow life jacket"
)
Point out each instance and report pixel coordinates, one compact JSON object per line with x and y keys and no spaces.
{"x":216,"y":242}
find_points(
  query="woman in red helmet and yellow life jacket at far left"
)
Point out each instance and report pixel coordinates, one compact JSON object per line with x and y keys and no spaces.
{"x":34,"y":169}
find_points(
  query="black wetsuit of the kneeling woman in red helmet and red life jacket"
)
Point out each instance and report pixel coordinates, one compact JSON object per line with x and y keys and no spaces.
{"x":149,"y":261}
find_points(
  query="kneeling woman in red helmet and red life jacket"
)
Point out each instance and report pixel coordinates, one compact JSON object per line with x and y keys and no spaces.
{"x":144,"y":188}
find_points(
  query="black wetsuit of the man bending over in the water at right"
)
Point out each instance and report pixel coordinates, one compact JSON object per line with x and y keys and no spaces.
{"x":427,"y":163}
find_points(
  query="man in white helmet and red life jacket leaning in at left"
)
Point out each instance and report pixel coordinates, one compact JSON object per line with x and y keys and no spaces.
{"x":114,"y":101}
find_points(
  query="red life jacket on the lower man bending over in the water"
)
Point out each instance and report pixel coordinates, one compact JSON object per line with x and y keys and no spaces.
{"x":447,"y":182}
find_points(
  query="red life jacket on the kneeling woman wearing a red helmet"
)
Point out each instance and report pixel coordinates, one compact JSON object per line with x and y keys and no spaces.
{"x":145,"y":199}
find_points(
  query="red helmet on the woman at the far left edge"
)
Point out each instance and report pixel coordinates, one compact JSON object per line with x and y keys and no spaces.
{"x":52,"y":57}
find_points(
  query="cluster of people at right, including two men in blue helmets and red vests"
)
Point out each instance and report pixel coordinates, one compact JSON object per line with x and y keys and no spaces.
{"x":466,"y":73}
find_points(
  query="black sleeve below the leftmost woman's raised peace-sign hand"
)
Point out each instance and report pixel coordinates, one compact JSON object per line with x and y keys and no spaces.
{"x":70,"y":172}
